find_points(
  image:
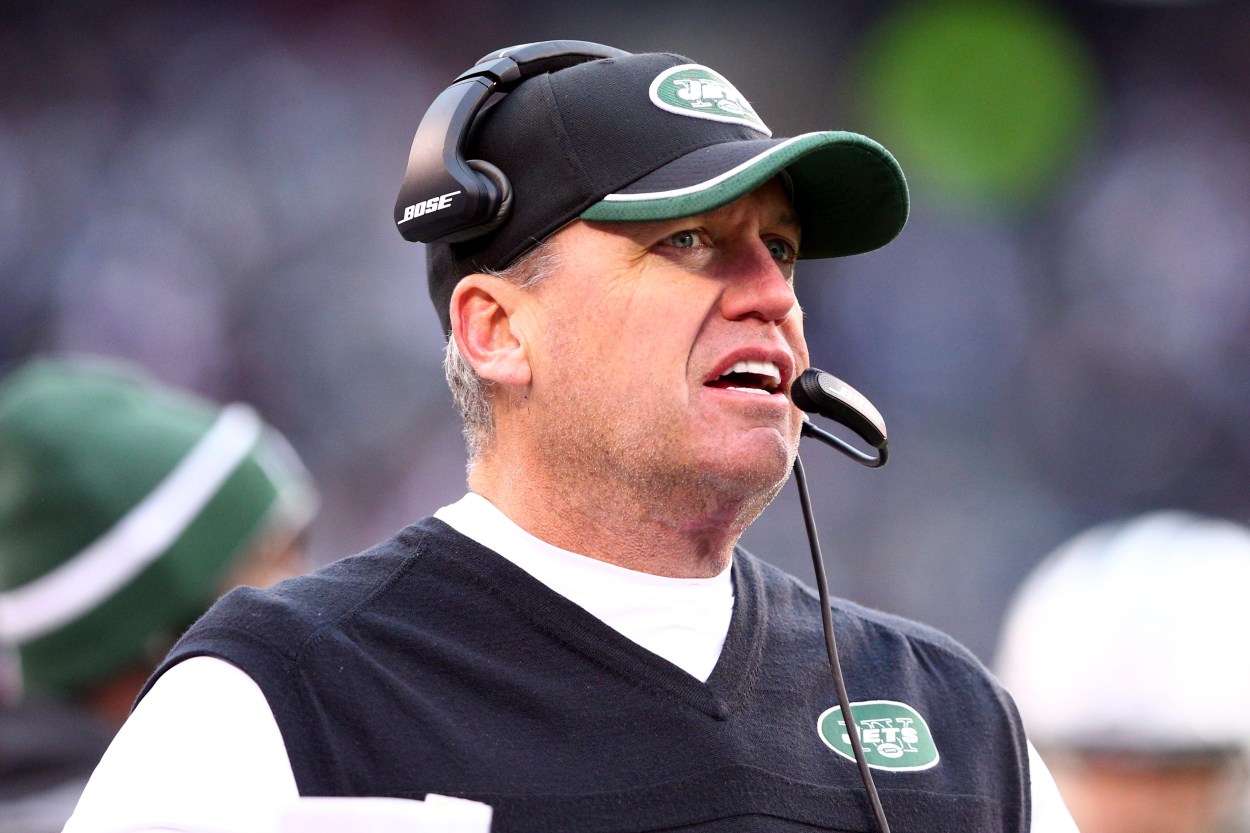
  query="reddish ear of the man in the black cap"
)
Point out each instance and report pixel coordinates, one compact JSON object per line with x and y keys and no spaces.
{"x":483,"y":310}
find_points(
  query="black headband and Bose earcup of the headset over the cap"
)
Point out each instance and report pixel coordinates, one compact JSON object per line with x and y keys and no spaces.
{"x":447,"y":198}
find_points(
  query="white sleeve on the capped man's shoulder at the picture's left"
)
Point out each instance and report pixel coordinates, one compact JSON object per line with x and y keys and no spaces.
{"x":201,"y":752}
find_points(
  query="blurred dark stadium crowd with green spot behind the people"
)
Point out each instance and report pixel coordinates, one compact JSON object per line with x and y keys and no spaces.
{"x":1059,"y":337}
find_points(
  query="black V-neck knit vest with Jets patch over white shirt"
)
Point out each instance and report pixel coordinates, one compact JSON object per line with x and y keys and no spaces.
{"x":431,"y":665}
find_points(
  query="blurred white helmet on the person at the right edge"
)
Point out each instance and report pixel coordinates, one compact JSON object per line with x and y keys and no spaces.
{"x":1133,"y":637}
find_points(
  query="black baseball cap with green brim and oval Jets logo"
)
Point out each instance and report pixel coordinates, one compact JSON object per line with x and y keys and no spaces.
{"x":657,"y":137}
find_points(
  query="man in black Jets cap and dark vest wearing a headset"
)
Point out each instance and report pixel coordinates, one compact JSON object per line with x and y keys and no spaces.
{"x":578,"y":642}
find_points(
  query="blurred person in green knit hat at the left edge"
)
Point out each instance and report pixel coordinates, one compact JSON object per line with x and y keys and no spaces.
{"x":127,"y":508}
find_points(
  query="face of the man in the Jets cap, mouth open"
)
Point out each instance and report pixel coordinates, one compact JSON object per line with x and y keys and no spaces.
{"x":662,"y":353}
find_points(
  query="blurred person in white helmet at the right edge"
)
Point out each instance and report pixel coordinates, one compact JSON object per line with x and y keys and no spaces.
{"x":1124,"y":649}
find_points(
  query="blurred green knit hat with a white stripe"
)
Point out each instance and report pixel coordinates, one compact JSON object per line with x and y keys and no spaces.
{"x":123,"y":507}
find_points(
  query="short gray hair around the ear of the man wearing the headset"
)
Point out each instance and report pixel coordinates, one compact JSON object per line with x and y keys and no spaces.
{"x":474,"y":396}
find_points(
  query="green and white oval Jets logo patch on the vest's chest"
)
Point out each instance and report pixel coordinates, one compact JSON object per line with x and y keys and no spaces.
{"x":893,"y":735}
